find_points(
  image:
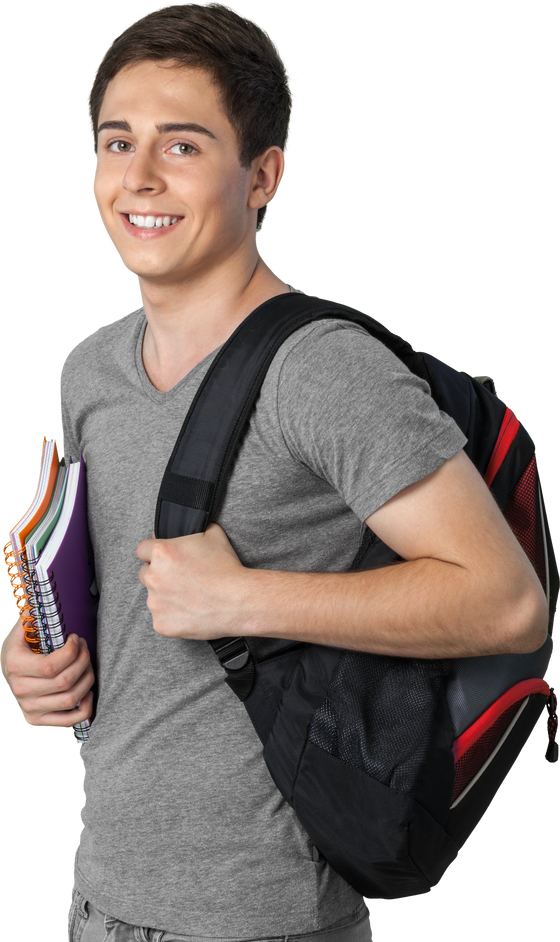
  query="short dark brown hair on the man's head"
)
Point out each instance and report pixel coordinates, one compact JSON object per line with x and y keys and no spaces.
{"x":239,"y":55}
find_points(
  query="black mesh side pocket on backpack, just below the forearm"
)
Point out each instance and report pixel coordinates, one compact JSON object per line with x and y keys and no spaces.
{"x":378,"y":714}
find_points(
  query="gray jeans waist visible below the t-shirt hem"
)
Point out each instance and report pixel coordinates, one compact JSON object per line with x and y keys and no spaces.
{"x":88,"y":924}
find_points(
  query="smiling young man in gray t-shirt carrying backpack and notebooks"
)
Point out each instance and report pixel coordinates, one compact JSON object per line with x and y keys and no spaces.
{"x":182,"y":828}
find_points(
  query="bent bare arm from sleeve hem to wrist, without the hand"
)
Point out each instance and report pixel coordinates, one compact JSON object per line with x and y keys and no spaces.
{"x":466,"y":587}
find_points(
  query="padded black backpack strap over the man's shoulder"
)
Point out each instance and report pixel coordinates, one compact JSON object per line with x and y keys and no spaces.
{"x":200,"y":464}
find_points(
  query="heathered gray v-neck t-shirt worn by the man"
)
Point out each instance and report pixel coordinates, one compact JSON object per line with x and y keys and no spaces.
{"x":182,"y":827}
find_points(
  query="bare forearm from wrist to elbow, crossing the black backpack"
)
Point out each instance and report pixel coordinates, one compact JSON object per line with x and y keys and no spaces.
{"x":423,"y":608}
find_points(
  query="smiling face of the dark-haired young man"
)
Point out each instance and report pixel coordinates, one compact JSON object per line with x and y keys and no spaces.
{"x":148,"y":167}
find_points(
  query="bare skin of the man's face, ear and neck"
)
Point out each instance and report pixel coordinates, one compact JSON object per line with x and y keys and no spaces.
{"x":198,"y":283}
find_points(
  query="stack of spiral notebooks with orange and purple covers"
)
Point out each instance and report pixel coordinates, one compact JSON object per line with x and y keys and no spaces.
{"x":49,"y":565}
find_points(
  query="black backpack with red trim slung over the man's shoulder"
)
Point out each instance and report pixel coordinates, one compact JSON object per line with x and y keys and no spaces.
{"x":389,"y":821}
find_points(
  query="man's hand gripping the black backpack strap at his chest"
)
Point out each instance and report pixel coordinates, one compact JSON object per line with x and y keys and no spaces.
{"x":197,"y":587}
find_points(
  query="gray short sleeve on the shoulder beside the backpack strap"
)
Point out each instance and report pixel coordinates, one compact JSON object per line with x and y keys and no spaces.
{"x":352,"y":413}
